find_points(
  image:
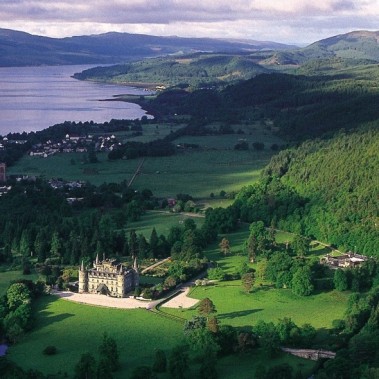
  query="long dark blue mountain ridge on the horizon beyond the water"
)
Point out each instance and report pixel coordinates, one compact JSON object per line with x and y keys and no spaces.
{"x":23,"y":49}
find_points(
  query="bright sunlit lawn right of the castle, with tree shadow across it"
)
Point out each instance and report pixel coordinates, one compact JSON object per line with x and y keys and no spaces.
{"x":236,"y":308}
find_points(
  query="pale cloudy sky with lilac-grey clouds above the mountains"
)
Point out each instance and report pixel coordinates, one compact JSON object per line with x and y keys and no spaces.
{"x":285,"y":21}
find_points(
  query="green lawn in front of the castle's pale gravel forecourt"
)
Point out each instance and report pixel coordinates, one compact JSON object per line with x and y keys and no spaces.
{"x":75,"y":329}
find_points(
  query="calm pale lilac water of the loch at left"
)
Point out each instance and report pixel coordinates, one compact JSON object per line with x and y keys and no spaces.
{"x":33,"y":98}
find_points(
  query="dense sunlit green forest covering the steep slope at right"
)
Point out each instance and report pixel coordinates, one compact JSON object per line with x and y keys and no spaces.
{"x":325,"y":189}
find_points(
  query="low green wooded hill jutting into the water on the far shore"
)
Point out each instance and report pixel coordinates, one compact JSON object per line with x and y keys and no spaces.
{"x":188,"y":71}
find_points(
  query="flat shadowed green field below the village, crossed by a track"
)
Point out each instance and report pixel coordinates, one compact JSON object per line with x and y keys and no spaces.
{"x":197,"y":173}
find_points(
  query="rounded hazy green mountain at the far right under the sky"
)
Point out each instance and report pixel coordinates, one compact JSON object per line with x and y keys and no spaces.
{"x":355,"y":47}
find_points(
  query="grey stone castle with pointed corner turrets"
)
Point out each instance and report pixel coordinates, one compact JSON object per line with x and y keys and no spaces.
{"x":108,"y":277}
